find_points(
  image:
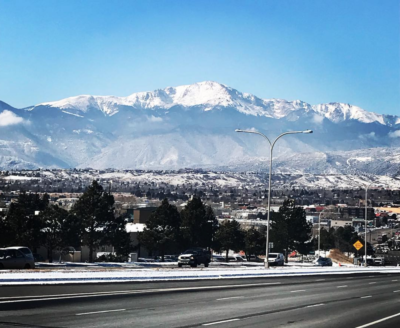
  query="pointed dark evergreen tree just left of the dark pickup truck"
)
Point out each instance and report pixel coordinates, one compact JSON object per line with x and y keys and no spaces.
{"x":162,"y":229}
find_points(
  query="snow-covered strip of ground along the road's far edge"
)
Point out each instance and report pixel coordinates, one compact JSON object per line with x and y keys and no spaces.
{"x":89,"y":275}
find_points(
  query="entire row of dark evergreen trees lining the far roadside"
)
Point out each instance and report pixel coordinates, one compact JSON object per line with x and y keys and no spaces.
{"x":32,"y":221}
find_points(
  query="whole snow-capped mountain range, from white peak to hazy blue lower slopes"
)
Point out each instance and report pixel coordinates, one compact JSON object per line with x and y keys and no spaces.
{"x":184,"y":126}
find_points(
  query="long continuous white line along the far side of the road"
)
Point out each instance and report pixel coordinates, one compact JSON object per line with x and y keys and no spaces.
{"x":19,"y":299}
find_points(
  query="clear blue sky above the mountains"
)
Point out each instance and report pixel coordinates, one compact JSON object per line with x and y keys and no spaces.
{"x":317,"y":51}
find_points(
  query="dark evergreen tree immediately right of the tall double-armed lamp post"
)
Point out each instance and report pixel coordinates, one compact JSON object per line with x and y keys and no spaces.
{"x":289,"y":228}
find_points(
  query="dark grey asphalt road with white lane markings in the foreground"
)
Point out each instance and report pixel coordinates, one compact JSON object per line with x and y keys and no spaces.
{"x":371,"y":300}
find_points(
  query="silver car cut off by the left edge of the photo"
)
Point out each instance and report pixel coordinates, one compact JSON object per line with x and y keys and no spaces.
{"x":17,"y":257}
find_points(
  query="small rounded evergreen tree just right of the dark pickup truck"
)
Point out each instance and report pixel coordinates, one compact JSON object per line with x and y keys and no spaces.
{"x":229,"y":236}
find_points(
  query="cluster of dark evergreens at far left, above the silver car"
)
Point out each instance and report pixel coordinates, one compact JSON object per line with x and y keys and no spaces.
{"x":32,"y":221}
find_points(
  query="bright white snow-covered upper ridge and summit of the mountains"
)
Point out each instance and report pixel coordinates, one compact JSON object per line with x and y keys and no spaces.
{"x":211,"y":95}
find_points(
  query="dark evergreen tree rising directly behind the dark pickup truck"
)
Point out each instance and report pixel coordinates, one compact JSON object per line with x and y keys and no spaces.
{"x":198,"y":224}
